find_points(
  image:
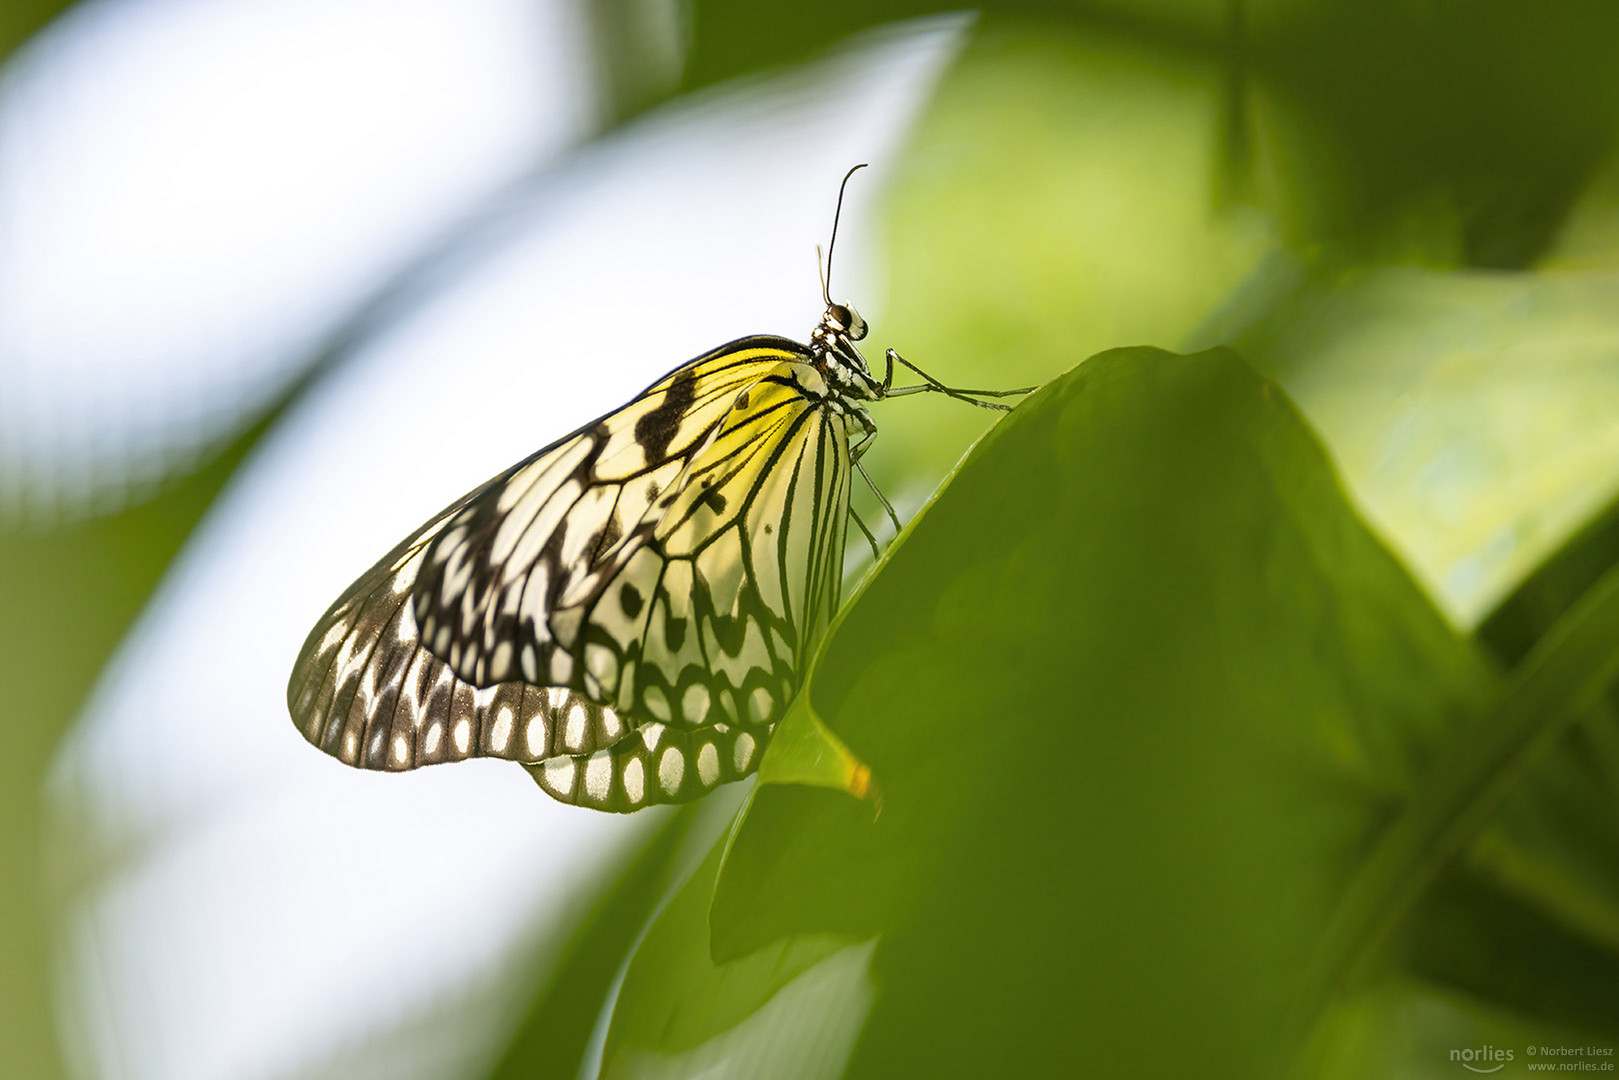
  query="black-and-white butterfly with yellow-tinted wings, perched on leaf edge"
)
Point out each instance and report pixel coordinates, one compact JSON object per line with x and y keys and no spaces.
{"x":629,"y":611}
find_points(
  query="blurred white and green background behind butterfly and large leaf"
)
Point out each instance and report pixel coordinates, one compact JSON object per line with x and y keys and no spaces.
{"x":279,"y":279}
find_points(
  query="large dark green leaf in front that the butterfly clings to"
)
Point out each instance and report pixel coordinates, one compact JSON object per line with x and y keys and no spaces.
{"x":1136,"y":687}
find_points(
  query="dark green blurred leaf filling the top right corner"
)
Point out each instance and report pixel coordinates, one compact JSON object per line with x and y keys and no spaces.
{"x":1451,"y":132}
